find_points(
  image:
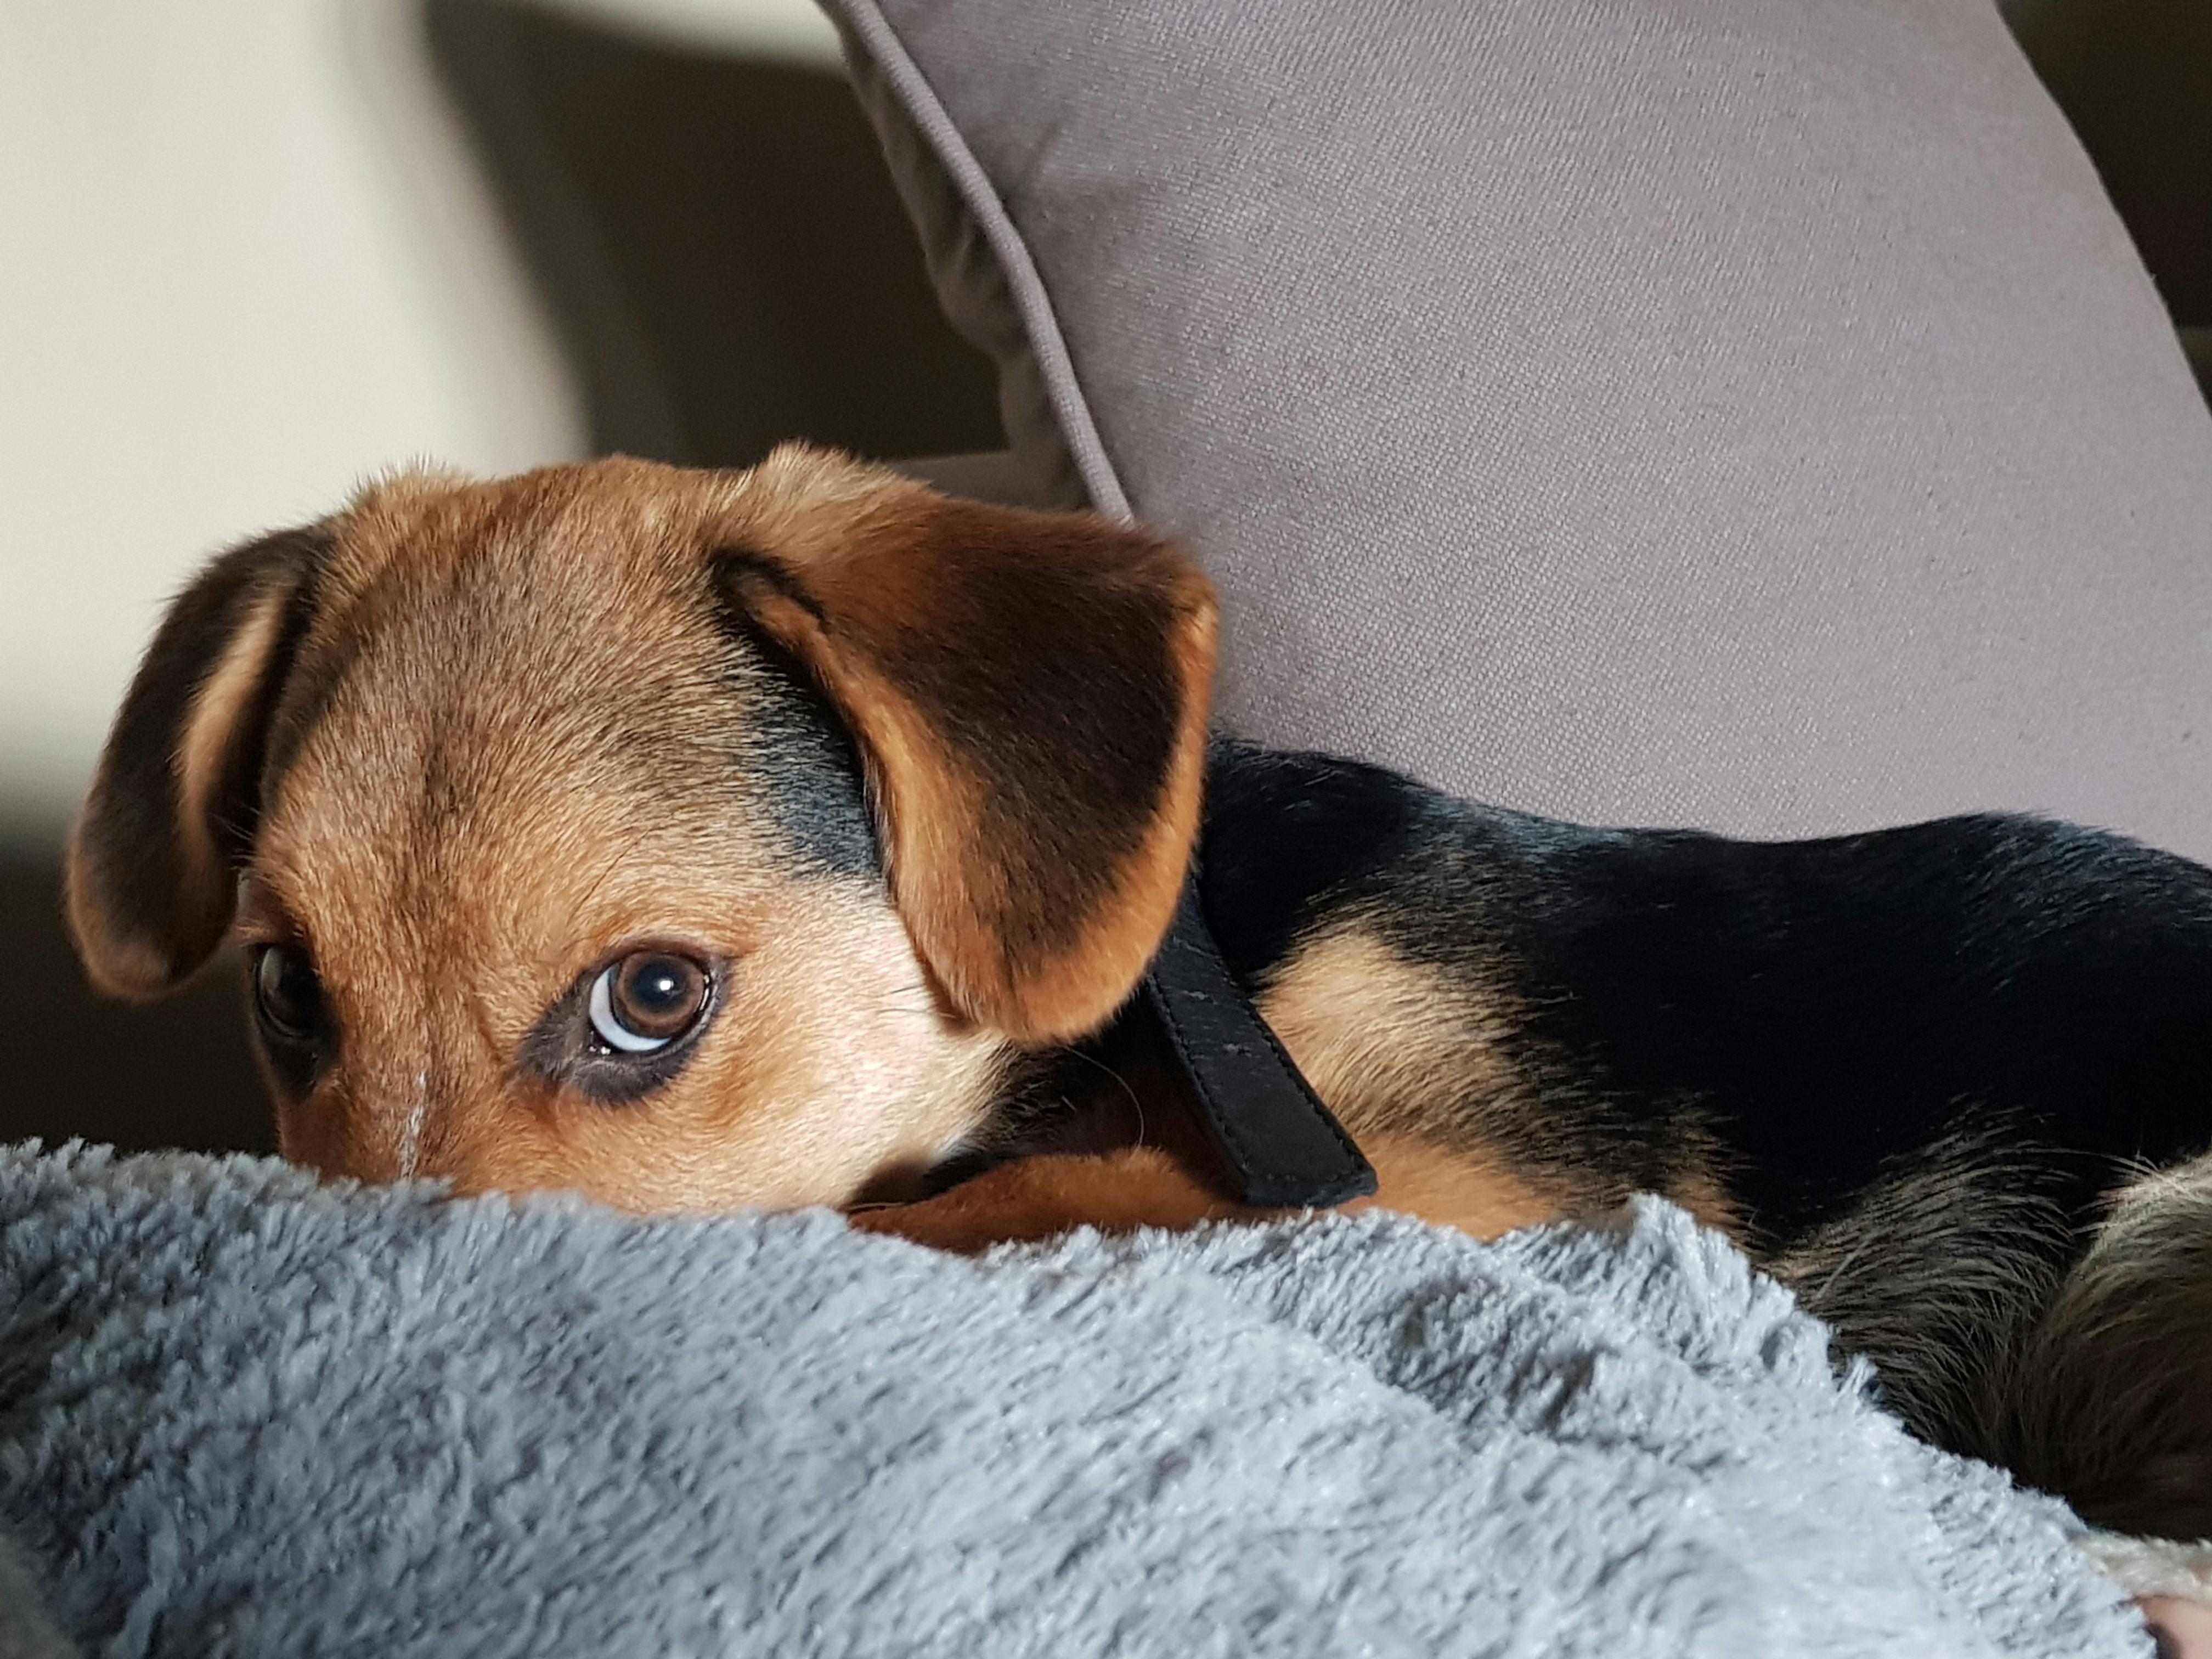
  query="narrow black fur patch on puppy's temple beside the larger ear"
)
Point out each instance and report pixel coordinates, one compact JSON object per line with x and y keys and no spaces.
{"x":795,"y":742}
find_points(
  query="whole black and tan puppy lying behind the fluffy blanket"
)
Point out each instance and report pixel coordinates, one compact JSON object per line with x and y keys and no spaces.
{"x":797,"y":837}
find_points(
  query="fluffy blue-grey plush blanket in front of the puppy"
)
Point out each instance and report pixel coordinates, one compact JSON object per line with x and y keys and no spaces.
{"x":242,"y":1415}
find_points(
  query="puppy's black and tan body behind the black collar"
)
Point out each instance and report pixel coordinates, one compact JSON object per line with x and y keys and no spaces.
{"x":1910,"y":1072}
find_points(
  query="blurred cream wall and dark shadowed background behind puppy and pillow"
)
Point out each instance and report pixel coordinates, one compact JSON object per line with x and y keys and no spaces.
{"x":258,"y":251}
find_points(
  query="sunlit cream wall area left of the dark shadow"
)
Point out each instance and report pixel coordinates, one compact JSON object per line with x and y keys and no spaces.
{"x":249,"y":262}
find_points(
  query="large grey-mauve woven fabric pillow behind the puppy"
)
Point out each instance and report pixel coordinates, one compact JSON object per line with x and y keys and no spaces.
{"x":1724,"y":413}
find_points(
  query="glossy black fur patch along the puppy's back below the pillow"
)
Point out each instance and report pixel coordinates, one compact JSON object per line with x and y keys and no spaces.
{"x":1826,"y":1010}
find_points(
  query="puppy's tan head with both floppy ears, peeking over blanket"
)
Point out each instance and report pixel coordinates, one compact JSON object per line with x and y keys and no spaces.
{"x":691,"y":839}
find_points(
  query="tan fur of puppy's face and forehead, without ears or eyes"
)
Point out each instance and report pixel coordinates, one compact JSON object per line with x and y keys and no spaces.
{"x":457,"y":873}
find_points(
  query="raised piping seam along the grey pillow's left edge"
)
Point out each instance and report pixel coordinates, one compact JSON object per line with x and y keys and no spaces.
{"x":1030,"y":295}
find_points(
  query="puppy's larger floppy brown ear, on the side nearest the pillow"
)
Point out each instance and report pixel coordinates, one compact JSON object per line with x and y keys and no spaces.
{"x":1030,"y":698}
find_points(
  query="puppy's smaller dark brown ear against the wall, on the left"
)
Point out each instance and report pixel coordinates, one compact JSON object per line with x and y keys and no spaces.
{"x":154,"y":862}
